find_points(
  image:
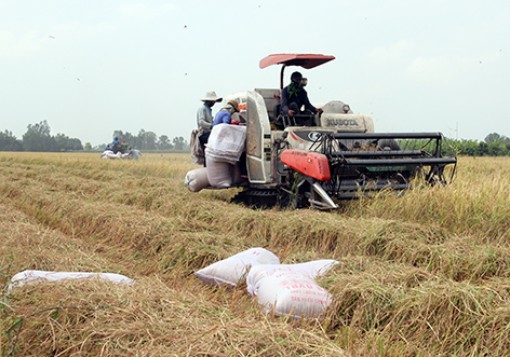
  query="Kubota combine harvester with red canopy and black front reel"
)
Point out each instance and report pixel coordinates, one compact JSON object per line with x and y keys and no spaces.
{"x":338,"y":157}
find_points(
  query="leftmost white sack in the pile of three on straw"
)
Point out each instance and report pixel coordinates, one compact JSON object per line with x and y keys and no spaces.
{"x":232,"y":270}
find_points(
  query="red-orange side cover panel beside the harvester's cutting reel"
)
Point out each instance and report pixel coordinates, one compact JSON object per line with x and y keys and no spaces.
{"x":309,"y":163}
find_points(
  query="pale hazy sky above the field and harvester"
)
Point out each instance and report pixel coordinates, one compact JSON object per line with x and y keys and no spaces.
{"x":90,"y":67}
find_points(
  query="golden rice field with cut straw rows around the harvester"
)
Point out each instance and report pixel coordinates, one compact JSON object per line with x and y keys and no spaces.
{"x":426,"y":274}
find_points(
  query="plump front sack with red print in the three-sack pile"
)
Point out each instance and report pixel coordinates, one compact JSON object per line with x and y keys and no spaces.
{"x":292,"y":294}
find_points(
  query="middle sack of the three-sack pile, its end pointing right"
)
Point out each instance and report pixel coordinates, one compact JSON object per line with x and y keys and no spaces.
{"x":312,"y":270}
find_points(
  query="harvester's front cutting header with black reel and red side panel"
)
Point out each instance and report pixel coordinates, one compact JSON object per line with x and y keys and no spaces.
{"x":347,"y":166}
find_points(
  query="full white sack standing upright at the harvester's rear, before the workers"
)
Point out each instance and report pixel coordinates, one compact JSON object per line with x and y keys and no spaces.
{"x":226,"y":143}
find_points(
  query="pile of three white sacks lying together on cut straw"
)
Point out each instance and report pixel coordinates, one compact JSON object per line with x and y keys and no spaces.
{"x":283,"y":289}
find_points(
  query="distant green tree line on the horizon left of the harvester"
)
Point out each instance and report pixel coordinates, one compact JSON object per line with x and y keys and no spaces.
{"x":38,"y":138}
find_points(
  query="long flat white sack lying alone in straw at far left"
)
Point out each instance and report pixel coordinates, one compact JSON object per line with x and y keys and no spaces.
{"x":39,"y":276}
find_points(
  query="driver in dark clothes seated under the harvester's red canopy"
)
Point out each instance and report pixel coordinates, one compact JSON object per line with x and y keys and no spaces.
{"x":294,"y":97}
